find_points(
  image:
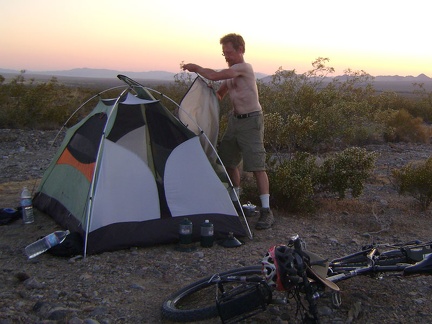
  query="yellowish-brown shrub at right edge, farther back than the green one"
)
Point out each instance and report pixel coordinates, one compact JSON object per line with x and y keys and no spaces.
{"x":401,"y":126}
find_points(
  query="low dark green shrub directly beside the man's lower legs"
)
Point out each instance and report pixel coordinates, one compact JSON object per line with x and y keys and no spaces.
{"x":292,"y":182}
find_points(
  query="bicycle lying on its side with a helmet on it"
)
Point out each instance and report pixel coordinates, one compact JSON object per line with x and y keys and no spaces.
{"x":293,"y":271}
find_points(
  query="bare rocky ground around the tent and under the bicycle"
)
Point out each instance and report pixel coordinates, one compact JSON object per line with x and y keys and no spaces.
{"x":129,"y":286}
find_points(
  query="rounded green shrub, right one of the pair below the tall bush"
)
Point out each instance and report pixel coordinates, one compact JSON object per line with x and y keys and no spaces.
{"x":346,"y":170}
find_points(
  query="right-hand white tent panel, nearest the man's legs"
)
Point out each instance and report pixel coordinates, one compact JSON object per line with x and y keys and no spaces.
{"x":191,"y":185}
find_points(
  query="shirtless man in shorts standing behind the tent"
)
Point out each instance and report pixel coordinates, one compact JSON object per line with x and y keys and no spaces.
{"x":244,"y":137}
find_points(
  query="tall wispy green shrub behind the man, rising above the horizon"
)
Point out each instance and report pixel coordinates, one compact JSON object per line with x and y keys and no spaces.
{"x":340,"y":110}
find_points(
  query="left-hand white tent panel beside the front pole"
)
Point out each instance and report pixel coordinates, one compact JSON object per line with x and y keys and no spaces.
{"x":126,"y":190}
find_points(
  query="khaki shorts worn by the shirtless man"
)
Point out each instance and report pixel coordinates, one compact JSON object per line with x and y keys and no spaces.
{"x":244,"y":140}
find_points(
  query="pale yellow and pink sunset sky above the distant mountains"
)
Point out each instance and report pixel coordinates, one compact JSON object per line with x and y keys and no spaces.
{"x":381,"y":37}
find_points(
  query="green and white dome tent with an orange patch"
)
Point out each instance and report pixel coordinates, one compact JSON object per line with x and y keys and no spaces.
{"x":129,"y":172}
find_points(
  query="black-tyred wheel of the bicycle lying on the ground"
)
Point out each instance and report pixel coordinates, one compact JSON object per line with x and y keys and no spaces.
{"x":197,"y":301}
